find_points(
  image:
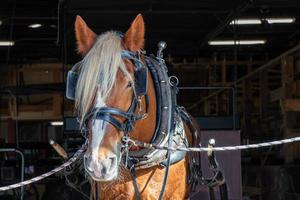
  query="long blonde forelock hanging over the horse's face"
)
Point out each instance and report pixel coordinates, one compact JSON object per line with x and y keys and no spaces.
{"x":98,"y":72}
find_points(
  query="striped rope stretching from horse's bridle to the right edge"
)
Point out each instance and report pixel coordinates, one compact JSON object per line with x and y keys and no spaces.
{"x":224,"y":148}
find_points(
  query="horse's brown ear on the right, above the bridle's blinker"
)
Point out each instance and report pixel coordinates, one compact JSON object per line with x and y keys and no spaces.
{"x":134,"y":37}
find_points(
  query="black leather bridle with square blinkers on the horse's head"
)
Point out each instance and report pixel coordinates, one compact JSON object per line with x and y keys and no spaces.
{"x":111,"y":115}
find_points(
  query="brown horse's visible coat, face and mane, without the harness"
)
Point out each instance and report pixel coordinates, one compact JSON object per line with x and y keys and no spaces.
{"x":107,"y":80}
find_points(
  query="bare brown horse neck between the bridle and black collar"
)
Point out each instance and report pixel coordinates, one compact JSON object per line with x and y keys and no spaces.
{"x":144,"y":129}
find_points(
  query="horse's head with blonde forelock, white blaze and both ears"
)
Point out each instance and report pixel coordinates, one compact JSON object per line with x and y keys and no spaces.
{"x":105,"y":91}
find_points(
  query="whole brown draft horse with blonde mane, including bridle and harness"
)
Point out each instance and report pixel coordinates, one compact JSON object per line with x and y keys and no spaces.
{"x":116,"y":101}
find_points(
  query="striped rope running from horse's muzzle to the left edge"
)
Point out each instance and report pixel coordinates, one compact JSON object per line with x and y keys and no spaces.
{"x":45,"y":175}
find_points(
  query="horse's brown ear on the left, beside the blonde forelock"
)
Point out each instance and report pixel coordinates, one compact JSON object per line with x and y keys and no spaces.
{"x":85,"y":37}
